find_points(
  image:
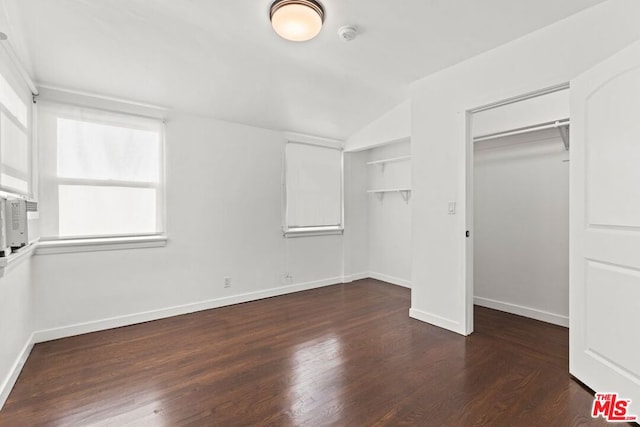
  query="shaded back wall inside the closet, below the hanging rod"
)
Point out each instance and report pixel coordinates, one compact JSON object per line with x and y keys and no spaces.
{"x":521,"y":225}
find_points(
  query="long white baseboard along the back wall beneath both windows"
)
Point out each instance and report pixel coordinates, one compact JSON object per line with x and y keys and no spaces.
{"x":131,"y":319}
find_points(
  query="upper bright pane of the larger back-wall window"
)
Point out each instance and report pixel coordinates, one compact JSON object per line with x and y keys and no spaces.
{"x":95,"y":151}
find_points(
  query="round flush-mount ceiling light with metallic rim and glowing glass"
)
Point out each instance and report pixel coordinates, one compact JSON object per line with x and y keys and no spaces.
{"x":297,"y":20}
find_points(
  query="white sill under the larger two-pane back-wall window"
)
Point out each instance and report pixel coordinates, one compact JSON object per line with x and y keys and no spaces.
{"x":99,"y":244}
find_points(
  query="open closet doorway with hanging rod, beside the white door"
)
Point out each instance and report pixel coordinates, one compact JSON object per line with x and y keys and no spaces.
{"x":518,"y":207}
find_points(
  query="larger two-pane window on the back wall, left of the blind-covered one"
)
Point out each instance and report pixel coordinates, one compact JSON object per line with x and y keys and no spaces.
{"x":101,"y":173}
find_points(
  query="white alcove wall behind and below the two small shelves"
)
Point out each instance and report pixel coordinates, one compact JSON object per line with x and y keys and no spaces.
{"x":390,"y":218}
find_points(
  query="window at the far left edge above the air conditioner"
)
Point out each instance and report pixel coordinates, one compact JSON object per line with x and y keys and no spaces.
{"x":15,"y":138}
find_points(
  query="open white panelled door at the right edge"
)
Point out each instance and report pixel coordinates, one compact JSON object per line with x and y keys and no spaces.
{"x":605,"y":227}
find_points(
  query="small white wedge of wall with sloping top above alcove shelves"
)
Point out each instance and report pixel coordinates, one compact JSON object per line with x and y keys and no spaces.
{"x":394,"y":125}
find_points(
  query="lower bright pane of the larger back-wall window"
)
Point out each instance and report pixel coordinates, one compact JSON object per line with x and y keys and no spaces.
{"x":104,"y":211}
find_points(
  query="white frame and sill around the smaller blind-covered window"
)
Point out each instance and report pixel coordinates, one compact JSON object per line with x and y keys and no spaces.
{"x":305,"y":231}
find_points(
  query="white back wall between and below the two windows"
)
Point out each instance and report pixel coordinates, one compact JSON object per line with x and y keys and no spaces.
{"x":223,"y":219}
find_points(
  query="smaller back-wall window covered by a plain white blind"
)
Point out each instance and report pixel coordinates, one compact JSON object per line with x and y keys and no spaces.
{"x":313,"y":182}
